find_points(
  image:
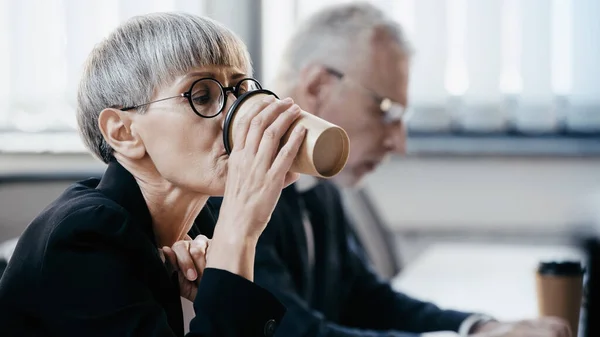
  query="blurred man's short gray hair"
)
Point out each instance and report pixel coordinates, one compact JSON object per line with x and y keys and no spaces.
{"x":335,"y":37}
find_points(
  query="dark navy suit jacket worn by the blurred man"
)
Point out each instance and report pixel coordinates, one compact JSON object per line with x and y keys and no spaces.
{"x":342,"y":296}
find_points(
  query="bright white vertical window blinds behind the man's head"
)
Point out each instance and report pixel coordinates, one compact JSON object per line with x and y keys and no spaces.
{"x":484,"y":65}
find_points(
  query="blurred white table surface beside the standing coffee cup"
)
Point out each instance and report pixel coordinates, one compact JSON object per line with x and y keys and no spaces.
{"x":498,"y":280}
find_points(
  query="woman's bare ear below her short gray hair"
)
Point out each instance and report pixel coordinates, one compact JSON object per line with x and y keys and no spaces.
{"x":117,"y":128}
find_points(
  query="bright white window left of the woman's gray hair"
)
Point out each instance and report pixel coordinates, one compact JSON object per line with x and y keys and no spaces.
{"x":45,"y":44}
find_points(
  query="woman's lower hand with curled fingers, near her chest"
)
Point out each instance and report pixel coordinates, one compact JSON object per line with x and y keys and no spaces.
{"x":188,"y":258}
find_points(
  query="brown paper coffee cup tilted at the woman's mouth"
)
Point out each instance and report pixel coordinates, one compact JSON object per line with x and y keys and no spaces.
{"x":323,"y":152}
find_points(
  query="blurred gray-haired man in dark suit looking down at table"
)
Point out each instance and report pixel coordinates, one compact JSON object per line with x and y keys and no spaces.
{"x":349,"y":65}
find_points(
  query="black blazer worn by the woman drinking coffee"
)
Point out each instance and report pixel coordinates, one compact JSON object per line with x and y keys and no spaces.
{"x":88,"y":265}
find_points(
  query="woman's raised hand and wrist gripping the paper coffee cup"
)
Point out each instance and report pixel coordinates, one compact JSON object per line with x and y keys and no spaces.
{"x":257,"y":172}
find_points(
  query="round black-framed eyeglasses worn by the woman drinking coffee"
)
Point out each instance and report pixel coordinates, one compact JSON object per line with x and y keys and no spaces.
{"x":208,"y":97}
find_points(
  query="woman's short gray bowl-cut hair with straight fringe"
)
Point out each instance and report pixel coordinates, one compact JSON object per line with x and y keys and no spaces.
{"x":143,"y":54}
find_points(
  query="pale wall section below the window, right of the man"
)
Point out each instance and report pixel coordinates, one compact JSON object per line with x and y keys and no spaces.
{"x":512,"y":194}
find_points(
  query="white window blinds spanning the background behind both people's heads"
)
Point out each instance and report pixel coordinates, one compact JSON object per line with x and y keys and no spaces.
{"x":474,"y":59}
